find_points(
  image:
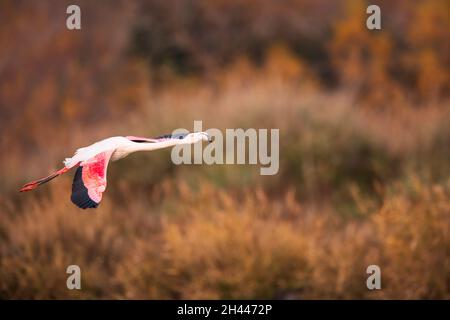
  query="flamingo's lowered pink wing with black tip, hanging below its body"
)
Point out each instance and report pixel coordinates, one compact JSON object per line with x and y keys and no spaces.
{"x":89,"y":181}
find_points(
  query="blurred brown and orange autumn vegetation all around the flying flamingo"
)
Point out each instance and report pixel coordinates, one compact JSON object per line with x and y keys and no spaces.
{"x":364,"y":149}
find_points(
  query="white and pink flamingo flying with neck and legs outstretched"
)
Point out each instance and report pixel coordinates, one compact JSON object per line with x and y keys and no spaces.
{"x":91,"y":162}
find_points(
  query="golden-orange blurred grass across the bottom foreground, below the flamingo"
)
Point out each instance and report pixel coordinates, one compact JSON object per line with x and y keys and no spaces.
{"x":210,"y":244}
